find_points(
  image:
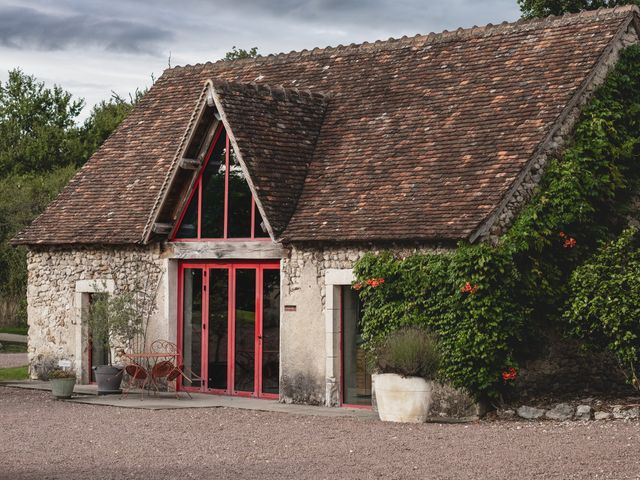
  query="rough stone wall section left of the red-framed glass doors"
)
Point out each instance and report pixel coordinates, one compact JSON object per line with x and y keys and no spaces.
{"x":59,"y":282}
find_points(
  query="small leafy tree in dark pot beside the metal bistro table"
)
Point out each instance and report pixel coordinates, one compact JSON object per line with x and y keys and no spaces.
{"x":113,"y":320}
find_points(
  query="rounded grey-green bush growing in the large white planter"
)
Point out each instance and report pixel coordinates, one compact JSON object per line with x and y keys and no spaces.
{"x":410,"y":352}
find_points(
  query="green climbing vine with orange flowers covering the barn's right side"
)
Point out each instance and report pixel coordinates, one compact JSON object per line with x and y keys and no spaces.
{"x":488,"y":303}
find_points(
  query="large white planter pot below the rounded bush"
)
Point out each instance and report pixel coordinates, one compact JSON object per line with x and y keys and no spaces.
{"x":402,"y":399}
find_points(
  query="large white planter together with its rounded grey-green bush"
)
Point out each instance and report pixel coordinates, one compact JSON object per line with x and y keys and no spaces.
{"x":406,"y":362}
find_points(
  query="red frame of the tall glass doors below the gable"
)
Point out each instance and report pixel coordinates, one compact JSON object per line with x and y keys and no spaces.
{"x":231,"y":266}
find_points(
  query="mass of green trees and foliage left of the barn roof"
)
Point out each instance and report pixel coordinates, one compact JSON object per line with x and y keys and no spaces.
{"x":41,"y":147}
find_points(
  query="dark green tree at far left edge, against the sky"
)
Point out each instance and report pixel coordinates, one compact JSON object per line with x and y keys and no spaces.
{"x":37,"y":125}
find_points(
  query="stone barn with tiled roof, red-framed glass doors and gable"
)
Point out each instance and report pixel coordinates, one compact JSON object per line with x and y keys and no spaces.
{"x":253,"y":186}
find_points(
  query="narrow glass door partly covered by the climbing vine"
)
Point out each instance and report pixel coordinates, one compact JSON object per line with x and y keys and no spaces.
{"x":356,"y":381}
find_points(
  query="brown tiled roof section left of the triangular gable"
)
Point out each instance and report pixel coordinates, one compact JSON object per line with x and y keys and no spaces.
{"x":110,"y":199}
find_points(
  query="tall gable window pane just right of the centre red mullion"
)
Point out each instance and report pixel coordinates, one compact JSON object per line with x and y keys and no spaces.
{"x":239,"y":201}
